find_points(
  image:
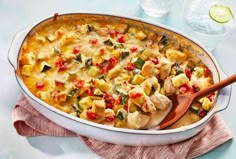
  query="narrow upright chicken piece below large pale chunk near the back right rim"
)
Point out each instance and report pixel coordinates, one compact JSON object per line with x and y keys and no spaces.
{"x":165,"y":67}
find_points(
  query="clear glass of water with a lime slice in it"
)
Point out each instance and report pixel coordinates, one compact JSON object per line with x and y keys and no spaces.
{"x":208,"y":21}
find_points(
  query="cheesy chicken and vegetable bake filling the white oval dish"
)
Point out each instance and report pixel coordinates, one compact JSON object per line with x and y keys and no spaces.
{"x":110,"y":73}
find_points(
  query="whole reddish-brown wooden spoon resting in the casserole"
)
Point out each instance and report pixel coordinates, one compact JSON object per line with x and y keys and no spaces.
{"x":181,"y":103}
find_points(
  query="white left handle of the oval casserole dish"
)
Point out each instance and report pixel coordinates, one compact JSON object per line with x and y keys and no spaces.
{"x":15,"y":47}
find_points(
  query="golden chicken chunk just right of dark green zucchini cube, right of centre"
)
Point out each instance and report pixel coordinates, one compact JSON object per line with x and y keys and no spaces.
{"x":149,"y":69}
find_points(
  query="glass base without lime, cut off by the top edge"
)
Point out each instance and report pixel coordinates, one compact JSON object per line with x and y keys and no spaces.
{"x":156,"y":8}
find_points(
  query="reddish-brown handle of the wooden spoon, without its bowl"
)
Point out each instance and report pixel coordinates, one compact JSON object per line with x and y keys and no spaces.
{"x":215,"y":87}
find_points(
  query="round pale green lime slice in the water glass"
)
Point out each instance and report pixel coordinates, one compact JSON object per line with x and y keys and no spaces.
{"x":220,"y":13}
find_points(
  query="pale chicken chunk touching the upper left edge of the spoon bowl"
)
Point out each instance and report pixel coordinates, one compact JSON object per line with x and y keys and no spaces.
{"x":160,"y":101}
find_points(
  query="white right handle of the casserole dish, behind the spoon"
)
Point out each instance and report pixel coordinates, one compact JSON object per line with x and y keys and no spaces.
{"x":224,"y":95}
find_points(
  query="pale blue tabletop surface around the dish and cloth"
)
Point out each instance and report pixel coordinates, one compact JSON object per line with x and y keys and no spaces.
{"x":19,"y":14}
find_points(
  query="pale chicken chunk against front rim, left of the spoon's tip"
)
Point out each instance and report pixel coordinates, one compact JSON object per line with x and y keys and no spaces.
{"x":137,"y":120}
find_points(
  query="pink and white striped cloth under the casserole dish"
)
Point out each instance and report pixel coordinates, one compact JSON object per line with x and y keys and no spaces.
{"x":28,"y":122}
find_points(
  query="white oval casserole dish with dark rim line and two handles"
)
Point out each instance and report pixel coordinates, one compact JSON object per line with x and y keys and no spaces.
{"x":120,"y":135}
